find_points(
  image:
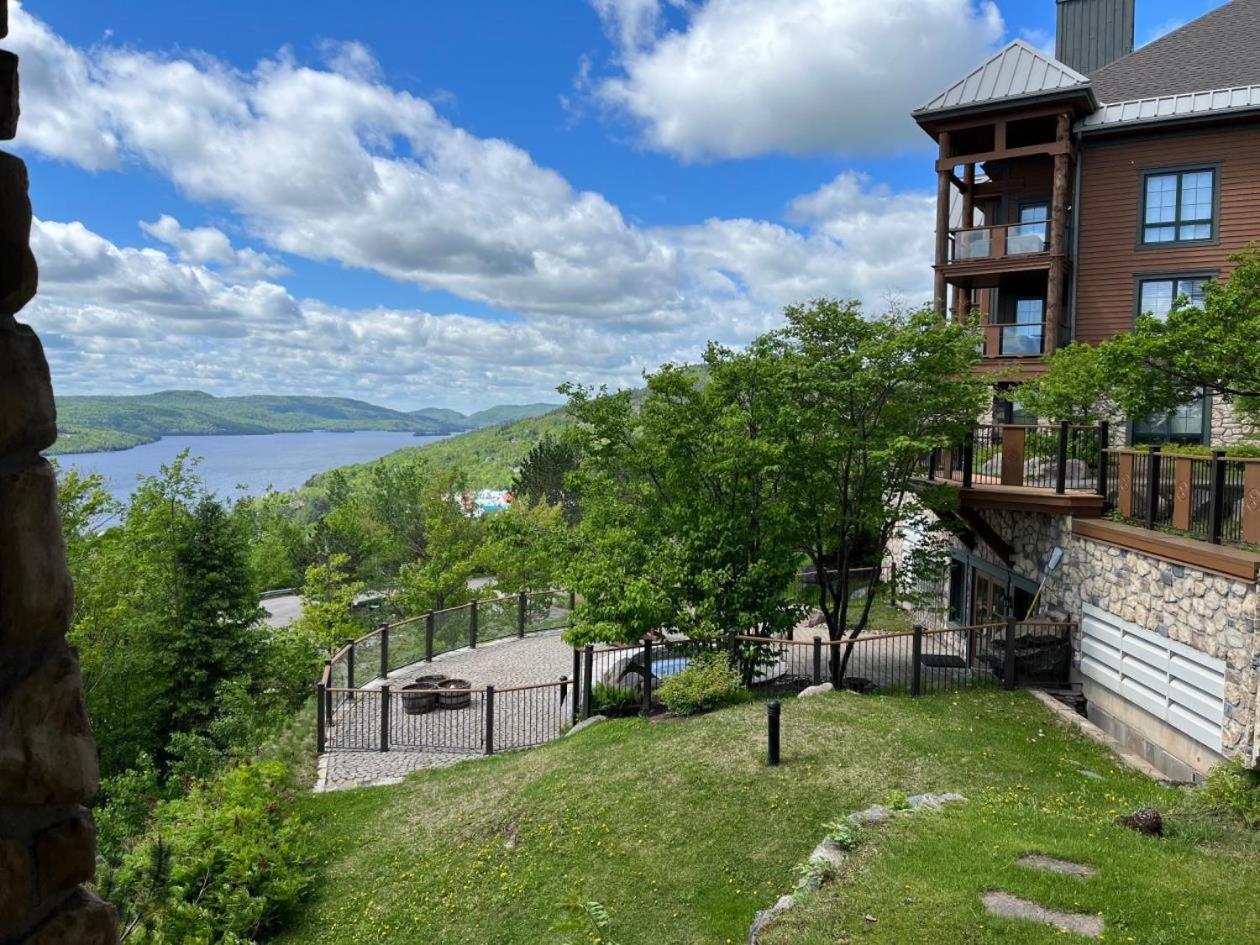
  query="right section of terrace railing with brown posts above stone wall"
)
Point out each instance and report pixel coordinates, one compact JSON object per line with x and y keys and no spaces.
{"x":1213,"y":498}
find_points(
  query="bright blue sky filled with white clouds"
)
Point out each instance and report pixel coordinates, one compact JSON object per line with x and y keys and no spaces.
{"x":459,"y":205}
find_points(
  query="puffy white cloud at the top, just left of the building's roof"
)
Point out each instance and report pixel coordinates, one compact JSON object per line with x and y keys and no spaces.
{"x":748,"y":77}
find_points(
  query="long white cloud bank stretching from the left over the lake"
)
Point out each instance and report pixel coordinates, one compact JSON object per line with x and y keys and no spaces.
{"x":331,"y":164}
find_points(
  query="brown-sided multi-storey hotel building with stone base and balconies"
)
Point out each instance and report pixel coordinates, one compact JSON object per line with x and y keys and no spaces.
{"x":1073,"y":192}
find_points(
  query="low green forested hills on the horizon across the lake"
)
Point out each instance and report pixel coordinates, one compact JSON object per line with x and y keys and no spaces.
{"x":94,"y":424}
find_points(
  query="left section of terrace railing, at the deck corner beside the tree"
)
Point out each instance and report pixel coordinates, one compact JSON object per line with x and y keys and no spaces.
{"x":1060,"y":457}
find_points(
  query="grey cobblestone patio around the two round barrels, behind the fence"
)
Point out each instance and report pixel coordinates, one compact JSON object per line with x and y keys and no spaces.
{"x":525,"y":719}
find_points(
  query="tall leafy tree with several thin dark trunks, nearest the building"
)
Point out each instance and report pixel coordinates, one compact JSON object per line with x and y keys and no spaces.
{"x":862,"y":400}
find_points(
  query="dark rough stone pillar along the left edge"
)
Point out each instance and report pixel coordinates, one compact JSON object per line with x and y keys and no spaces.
{"x":49,"y":767}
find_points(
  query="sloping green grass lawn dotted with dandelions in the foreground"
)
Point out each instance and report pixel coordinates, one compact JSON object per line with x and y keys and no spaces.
{"x":682,"y":832}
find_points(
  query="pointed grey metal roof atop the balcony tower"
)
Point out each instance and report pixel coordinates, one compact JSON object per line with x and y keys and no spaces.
{"x":1017,"y":71}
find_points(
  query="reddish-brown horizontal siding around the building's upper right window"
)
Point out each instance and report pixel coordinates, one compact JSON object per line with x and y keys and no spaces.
{"x":1108,"y":254}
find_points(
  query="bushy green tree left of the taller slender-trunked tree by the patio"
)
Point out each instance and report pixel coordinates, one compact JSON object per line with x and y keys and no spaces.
{"x":684,"y":516}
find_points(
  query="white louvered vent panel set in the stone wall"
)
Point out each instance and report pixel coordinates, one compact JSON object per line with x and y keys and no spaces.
{"x":1169,"y":680}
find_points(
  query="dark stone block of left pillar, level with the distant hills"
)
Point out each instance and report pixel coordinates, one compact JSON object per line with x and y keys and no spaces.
{"x":28,"y":416}
